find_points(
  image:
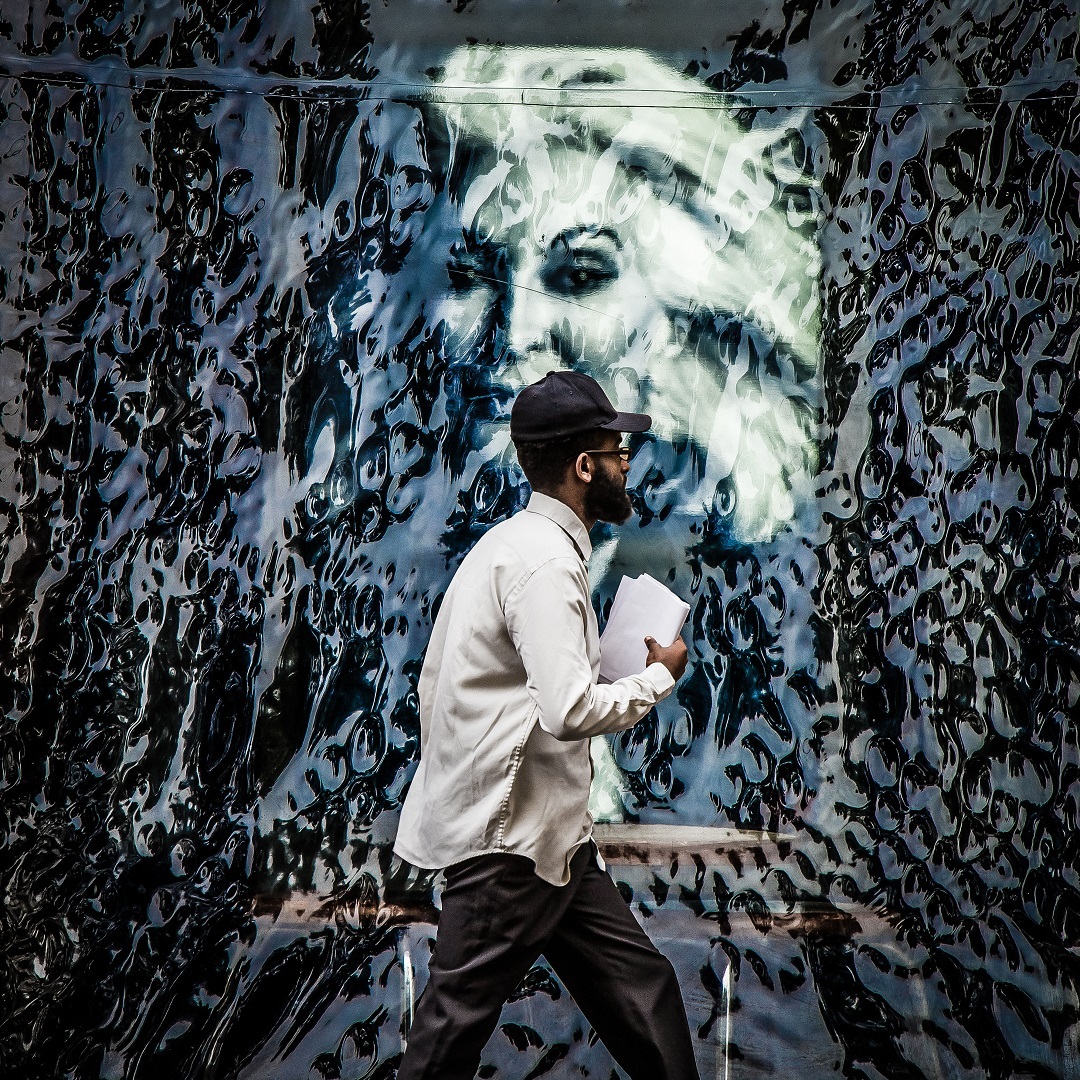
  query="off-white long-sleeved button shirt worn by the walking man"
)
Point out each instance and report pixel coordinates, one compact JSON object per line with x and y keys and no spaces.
{"x":509,"y":701}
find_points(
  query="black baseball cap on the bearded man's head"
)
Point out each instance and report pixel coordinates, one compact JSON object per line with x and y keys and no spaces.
{"x":566,"y":403}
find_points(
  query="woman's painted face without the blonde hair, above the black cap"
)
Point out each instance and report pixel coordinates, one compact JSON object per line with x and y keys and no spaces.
{"x":568,"y":275}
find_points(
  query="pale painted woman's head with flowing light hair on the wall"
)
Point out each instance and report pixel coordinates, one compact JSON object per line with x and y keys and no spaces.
{"x":659,"y":250}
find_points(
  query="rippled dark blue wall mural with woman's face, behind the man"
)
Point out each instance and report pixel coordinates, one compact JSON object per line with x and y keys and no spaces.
{"x":272,"y":277}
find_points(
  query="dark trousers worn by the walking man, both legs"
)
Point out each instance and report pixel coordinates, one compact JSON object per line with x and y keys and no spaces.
{"x":498,"y":917}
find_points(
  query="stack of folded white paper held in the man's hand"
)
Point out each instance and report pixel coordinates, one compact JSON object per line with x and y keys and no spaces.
{"x":643,"y":607}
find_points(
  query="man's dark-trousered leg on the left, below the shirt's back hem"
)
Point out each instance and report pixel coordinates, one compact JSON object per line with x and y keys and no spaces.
{"x":497,"y":915}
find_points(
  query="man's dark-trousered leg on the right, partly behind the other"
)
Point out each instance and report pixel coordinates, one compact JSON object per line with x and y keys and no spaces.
{"x":626,"y":988}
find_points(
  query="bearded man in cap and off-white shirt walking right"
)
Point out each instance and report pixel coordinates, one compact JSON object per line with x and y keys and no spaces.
{"x":509,"y":701}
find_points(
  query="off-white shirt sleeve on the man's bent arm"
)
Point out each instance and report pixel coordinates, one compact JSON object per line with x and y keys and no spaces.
{"x":547,"y":619}
